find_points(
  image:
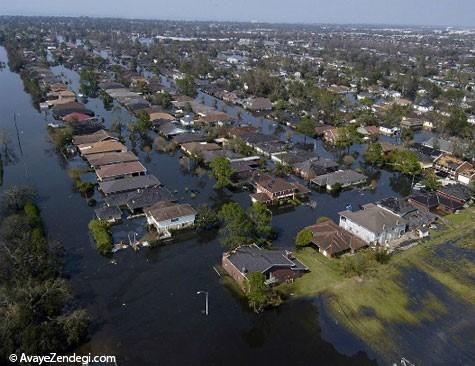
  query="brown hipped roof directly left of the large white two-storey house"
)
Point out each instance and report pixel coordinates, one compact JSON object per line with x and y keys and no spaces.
{"x":333,"y":239}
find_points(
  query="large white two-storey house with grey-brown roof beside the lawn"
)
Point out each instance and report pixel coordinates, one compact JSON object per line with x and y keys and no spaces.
{"x":373,"y":224}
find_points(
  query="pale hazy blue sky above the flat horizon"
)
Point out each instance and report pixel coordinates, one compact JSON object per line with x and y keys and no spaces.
{"x":416,"y":12}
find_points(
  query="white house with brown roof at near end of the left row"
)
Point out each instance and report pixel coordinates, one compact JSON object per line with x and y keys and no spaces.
{"x":167,"y":216}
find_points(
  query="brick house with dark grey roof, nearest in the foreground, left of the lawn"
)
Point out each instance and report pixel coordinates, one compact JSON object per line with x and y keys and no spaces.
{"x":276,"y":265}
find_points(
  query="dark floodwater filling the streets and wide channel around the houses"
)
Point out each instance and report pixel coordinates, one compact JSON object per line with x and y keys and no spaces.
{"x":144,"y":305}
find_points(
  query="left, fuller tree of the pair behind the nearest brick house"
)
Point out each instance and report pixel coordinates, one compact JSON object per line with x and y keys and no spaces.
{"x":237,"y":228}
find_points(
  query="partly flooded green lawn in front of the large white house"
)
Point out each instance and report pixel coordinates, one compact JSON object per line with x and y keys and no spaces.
{"x":367,"y":304}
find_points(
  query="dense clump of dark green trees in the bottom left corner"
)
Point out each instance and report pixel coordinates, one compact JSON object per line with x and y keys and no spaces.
{"x":37,"y":314}
